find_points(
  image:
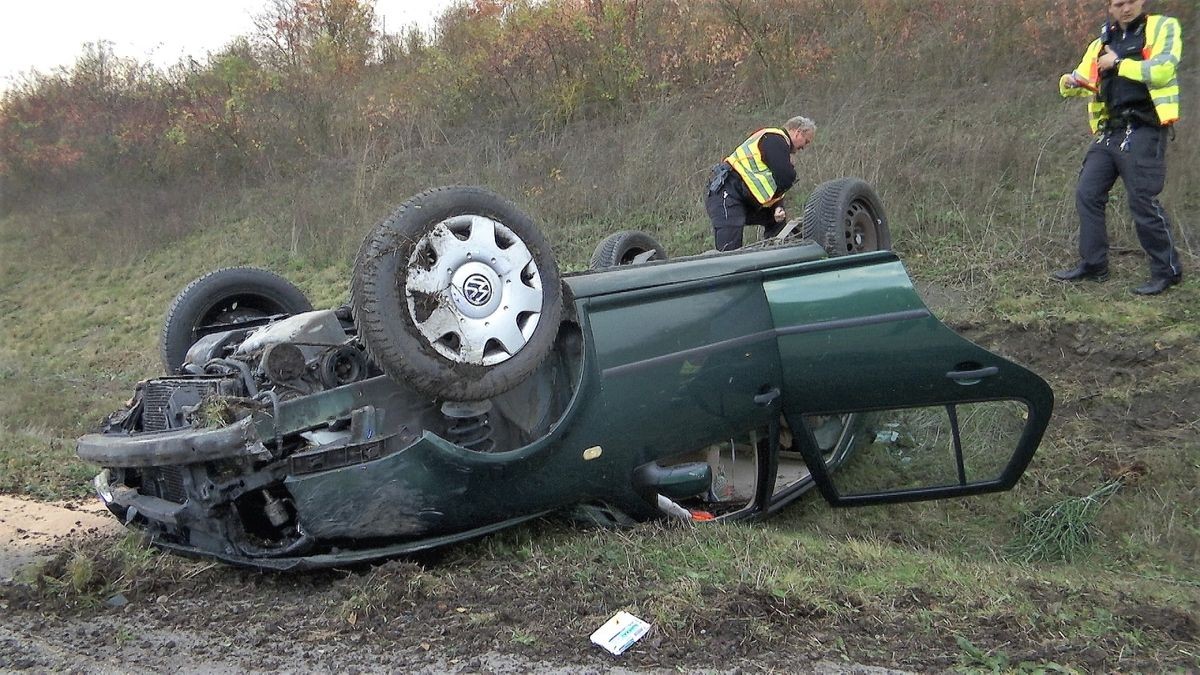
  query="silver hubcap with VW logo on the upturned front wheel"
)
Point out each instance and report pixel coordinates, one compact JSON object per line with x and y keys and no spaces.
{"x":473,"y":291}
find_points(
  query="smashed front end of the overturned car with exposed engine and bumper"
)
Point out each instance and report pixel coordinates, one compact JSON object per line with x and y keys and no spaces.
{"x":200,"y":461}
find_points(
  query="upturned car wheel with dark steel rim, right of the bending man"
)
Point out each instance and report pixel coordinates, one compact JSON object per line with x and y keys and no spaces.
{"x":847,"y":217}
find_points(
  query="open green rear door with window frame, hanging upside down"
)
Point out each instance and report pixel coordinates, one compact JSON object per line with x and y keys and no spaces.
{"x":887,"y":404}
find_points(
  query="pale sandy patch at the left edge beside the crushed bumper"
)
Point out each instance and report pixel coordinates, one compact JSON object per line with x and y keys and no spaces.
{"x":32,"y":530}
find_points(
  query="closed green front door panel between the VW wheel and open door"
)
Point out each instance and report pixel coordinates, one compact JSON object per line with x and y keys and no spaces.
{"x":685,"y":362}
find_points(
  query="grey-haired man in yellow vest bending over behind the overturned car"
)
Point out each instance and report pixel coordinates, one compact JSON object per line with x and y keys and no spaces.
{"x":746,"y":189}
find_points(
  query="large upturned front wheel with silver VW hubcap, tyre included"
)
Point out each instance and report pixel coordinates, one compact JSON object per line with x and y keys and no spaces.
{"x":458,"y":295}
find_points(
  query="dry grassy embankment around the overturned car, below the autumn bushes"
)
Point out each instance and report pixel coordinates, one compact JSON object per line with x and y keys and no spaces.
{"x":977,"y":178}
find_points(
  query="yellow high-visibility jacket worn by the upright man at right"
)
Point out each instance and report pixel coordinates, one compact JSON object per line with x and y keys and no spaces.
{"x":1156,"y":70}
